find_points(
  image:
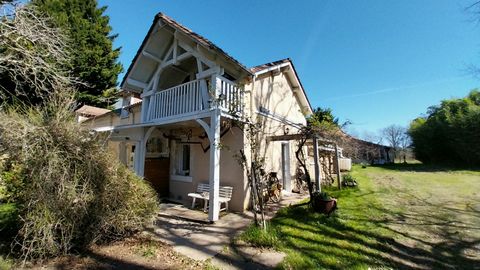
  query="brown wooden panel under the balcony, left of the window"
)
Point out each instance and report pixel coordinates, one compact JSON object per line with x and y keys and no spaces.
{"x":157,"y":172}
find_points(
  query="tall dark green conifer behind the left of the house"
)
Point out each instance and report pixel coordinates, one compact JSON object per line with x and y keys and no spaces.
{"x":95,"y":61}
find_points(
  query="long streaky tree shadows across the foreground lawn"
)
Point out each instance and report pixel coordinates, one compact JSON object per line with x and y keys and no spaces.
{"x":354,"y":246}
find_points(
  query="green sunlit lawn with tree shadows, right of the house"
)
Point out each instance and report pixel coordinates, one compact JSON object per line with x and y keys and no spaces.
{"x":403,"y":216}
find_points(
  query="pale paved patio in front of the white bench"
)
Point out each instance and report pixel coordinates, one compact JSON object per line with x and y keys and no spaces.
{"x":189,"y":232}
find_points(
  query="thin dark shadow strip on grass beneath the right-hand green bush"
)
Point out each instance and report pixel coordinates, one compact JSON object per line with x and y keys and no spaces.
{"x":420,"y":167}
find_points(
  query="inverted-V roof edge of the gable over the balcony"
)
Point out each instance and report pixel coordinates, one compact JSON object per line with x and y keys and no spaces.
{"x":188,"y":32}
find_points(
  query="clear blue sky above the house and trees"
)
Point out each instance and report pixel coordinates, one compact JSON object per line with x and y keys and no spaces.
{"x":374,"y":63}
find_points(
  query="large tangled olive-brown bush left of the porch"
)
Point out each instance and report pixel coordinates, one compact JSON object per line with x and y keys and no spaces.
{"x":73,"y":191}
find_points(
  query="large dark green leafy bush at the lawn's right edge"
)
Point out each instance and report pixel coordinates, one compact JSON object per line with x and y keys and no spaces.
{"x":449,"y":134}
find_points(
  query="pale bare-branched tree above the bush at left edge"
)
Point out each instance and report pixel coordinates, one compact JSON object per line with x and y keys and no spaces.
{"x":33,"y":55}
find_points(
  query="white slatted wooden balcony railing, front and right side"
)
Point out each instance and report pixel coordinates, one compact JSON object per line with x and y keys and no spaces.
{"x":193,"y":97}
